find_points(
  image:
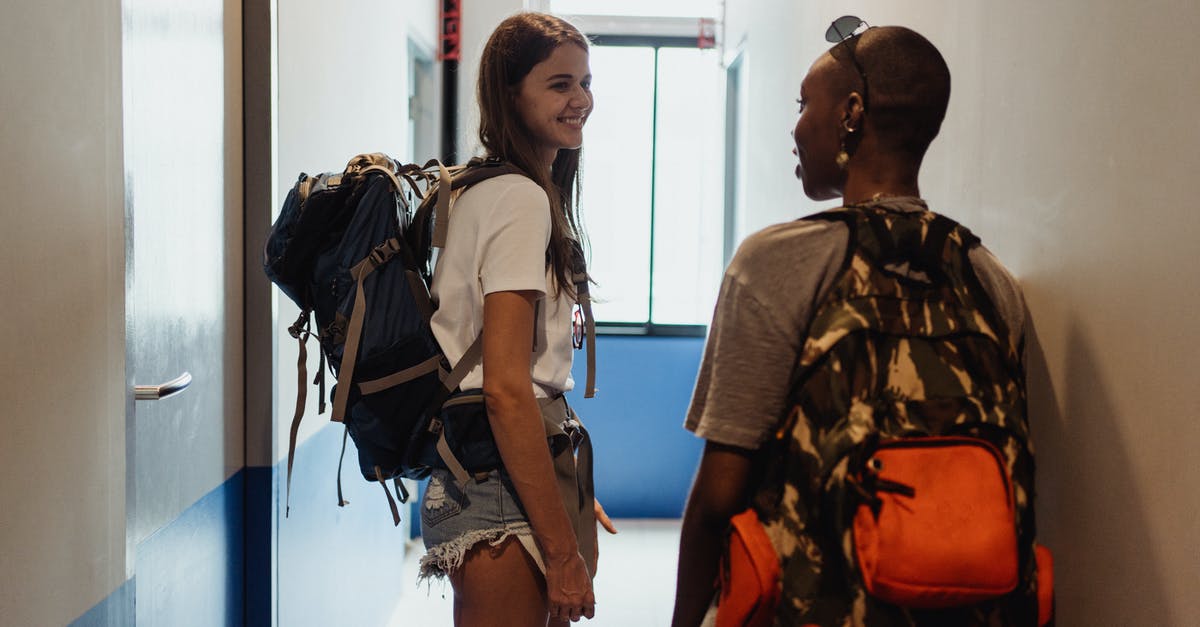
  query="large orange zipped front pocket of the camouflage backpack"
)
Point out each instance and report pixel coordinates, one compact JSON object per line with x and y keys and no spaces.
{"x":941,"y":532}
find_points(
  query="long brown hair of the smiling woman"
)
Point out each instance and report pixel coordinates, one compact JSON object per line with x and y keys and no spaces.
{"x":519,"y":44}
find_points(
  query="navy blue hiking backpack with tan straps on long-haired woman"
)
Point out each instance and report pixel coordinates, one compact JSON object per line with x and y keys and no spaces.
{"x":352,"y":249}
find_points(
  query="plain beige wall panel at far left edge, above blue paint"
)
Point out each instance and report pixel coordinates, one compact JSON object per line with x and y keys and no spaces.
{"x":63,"y":365}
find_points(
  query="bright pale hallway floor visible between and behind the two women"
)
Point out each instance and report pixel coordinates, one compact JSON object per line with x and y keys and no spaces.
{"x":635,"y":583}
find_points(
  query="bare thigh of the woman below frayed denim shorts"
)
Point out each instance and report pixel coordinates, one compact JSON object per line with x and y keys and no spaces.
{"x":499,"y":587}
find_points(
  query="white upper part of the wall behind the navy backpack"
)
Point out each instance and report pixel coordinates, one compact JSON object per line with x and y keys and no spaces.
{"x":343,"y":91}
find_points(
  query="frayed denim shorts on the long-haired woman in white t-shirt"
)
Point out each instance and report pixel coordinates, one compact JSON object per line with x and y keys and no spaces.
{"x":455,"y":518}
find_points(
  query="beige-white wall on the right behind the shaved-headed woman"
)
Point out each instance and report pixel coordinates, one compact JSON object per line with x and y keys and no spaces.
{"x":1070,"y":148}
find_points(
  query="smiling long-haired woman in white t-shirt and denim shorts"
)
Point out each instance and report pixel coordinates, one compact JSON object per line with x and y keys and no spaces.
{"x":519,"y":542}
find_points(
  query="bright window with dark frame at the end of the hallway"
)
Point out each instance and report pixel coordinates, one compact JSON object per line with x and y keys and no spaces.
{"x":655,"y":198}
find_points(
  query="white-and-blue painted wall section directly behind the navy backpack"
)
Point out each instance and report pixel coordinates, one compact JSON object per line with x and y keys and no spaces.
{"x":343,"y":89}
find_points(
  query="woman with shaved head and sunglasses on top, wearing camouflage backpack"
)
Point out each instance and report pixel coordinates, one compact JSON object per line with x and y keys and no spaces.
{"x":814,"y":359}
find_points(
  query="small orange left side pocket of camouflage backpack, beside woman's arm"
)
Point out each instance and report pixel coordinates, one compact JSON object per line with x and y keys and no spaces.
{"x":749,"y":576}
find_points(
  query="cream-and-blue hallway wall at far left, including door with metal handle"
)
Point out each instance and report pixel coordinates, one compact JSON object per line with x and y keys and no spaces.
{"x":79,"y":535}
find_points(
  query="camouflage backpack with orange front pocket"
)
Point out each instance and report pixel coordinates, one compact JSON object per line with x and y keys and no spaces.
{"x":907,"y":374}
